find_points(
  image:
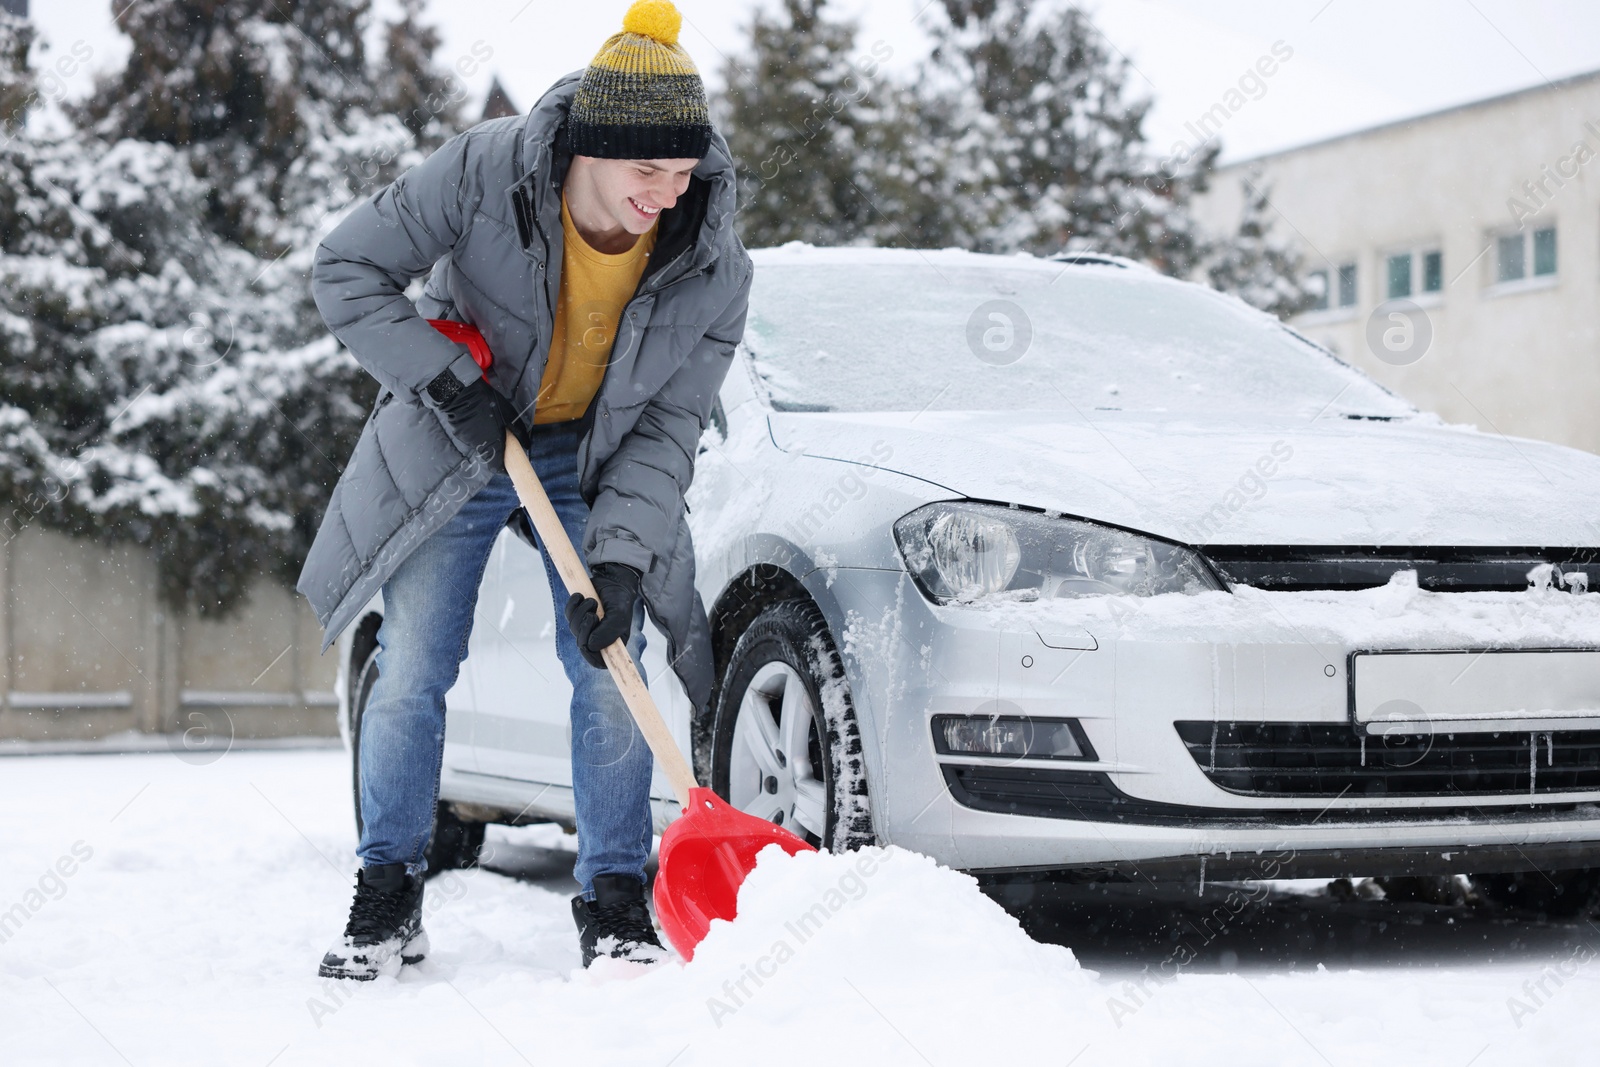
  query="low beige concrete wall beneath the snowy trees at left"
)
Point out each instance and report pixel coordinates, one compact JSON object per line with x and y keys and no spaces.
{"x":87,"y":650}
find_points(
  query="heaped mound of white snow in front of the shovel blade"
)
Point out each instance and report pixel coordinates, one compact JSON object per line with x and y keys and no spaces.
{"x":863,"y":945}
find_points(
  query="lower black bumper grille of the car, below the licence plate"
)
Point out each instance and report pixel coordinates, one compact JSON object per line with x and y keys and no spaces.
{"x":1337,"y":761}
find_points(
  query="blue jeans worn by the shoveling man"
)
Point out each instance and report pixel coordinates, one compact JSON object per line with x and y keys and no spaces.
{"x":422,"y":644}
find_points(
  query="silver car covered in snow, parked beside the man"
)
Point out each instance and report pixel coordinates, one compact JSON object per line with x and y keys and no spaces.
{"x":1062,"y":569}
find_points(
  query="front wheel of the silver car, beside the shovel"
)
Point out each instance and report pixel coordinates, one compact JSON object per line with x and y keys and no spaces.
{"x":786,"y":745}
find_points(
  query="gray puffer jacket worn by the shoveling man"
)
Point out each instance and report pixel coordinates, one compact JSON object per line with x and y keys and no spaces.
{"x":484,"y":217}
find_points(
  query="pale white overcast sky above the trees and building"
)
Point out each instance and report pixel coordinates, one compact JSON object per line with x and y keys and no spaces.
{"x":1353,"y":63}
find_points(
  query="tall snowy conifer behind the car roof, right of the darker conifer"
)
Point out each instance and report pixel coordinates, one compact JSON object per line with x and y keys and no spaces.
{"x":1052,"y":105}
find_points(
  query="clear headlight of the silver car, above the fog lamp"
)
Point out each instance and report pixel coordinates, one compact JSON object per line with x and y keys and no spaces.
{"x":959,"y":553}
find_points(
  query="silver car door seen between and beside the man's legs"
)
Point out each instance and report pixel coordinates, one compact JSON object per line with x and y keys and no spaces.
{"x":522,"y":727}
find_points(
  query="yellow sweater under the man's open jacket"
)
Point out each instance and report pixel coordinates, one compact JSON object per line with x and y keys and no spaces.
{"x":594,"y":290}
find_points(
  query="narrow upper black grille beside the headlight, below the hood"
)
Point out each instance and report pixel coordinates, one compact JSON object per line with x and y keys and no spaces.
{"x":1438,"y":569}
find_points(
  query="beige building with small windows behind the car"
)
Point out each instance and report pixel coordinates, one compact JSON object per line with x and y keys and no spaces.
{"x":1460,"y":255}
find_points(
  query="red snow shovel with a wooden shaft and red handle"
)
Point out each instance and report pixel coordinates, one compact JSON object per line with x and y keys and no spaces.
{"x":706,"y":852}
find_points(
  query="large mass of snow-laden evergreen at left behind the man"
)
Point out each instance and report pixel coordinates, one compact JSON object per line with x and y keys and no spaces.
{"x":164,"y":375}
